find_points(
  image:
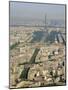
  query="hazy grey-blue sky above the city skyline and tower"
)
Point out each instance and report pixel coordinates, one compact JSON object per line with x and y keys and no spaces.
{"x":20,"y":12}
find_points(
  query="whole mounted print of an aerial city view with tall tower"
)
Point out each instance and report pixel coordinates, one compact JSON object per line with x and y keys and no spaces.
{"x":37,"y":45}
